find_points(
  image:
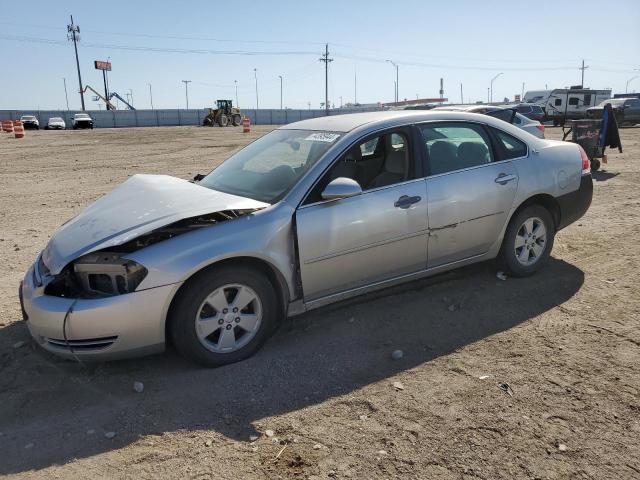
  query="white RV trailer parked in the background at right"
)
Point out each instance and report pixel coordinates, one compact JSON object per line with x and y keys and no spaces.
{"x":566,"y":103}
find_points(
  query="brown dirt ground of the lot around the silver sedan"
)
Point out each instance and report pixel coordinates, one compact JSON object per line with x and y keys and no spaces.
{"x":567,"y":341}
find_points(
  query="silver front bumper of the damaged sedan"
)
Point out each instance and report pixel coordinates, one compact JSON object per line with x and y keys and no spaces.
{"x":106,"y":328}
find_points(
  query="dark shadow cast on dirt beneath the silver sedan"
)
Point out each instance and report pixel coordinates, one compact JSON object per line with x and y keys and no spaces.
{"x":54,"y":411}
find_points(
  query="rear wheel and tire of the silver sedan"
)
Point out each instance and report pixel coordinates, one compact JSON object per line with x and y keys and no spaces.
{"x":515,"y":258}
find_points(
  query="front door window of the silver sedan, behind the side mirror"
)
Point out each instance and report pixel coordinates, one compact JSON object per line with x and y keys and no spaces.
{"x":377,"y":162}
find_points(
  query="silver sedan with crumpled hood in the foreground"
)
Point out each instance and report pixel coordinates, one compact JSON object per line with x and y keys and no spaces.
{"x":314,"y":212}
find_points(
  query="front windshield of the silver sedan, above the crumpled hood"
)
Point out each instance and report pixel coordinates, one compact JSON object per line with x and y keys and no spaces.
{"x":268,"y":168}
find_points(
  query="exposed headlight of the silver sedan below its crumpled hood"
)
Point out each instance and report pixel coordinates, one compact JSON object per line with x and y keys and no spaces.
{"x":106,"y":273}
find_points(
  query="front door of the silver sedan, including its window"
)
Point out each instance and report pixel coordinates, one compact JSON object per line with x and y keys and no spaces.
{"x":377,"y":235}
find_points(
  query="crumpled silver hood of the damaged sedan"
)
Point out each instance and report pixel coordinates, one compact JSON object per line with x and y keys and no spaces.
{"x":139,"y":205}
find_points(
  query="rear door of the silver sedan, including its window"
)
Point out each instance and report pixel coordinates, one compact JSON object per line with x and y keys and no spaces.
{"x":470,"y":190}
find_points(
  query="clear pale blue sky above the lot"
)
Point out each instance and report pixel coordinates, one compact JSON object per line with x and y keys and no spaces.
{"x":215,"y":44}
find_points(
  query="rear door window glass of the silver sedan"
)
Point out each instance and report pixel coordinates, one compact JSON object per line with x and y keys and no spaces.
{"x":455,"y":146}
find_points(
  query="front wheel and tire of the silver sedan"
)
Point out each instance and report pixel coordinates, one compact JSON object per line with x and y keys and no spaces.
{"x":203,"y":340}
